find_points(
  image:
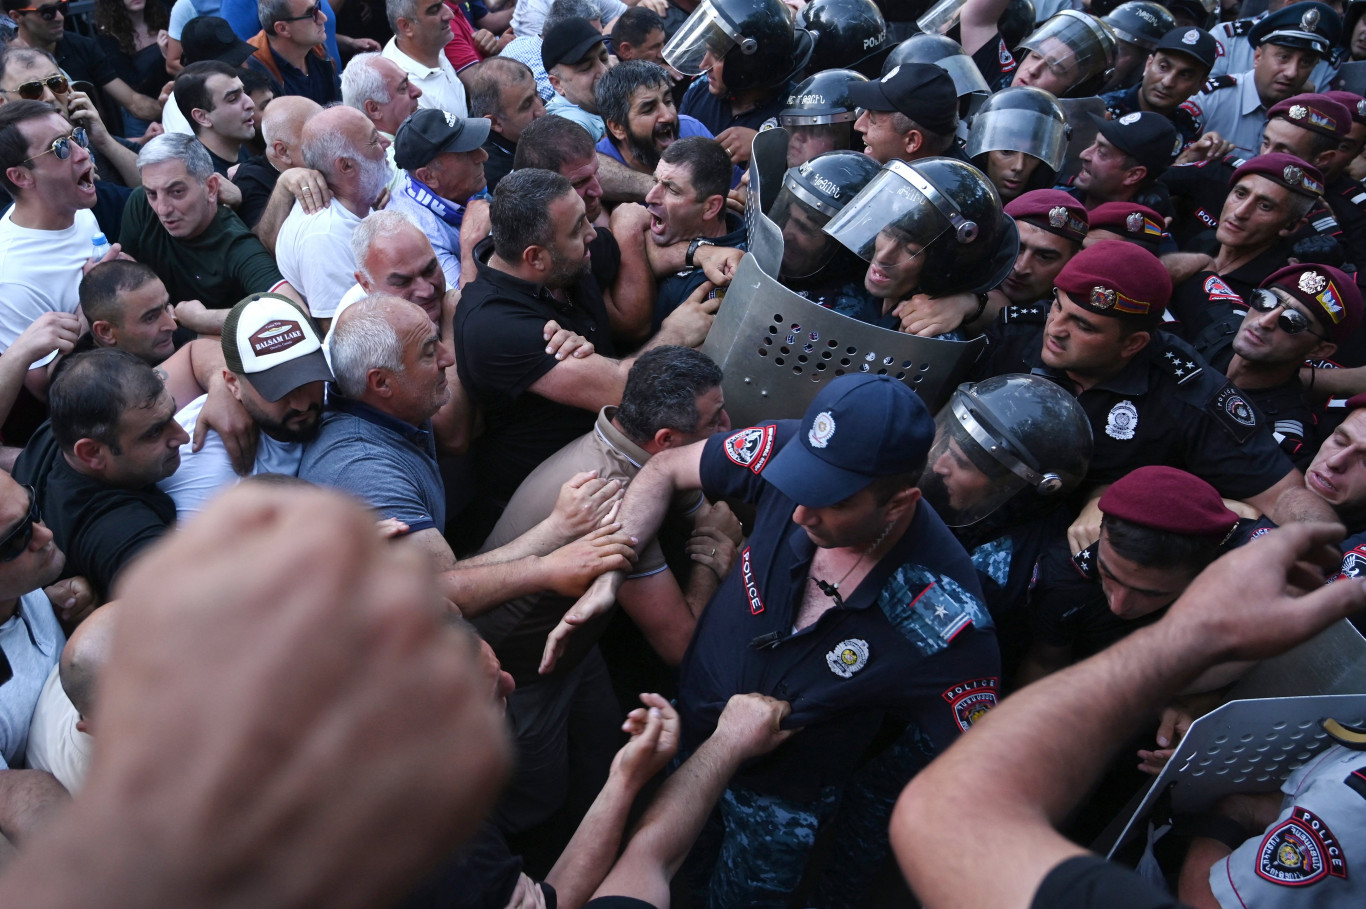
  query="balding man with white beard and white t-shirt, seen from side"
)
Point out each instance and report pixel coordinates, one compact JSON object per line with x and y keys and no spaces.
{"x":315,"y":251}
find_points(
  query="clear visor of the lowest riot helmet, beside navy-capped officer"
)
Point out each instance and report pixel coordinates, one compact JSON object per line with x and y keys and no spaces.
{"x":962,"y":479}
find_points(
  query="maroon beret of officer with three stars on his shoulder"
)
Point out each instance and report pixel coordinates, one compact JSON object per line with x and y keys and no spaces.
{"x":1118,"y":280}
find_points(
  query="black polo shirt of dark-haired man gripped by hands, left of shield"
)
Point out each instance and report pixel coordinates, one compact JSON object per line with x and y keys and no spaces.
{"x":501,"y":355}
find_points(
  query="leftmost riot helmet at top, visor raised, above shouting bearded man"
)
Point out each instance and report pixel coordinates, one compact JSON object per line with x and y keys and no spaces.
{"x":755,"y":39}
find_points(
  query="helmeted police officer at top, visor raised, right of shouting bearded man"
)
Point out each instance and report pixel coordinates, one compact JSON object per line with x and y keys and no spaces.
{"x":748,"y":53}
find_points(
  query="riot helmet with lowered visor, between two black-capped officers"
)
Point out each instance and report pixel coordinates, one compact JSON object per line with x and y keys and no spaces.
{"x":1022,"y":120}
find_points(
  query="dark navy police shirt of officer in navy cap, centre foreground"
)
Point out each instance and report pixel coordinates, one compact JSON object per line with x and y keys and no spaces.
{"x":913,"y":642}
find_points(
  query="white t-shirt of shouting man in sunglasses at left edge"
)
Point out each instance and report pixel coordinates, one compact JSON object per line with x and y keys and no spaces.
{"x":40,"y":273}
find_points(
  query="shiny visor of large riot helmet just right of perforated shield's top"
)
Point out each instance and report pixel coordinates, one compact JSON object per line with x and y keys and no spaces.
{"x":900,"y":206}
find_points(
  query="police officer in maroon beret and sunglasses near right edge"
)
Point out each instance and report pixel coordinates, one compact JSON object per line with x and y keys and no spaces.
{"x":1300,"y":314}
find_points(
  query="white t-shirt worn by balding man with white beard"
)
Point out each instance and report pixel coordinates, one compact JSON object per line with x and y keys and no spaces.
{"x":313,"y":254}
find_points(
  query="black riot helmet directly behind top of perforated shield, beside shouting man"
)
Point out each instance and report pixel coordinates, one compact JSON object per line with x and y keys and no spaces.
{"x":812,"y":195}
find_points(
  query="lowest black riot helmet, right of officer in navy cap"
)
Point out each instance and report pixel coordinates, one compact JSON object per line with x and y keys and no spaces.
{"x":1003,"y":439}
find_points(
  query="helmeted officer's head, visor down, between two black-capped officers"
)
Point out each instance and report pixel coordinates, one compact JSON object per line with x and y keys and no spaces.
{"x":1020,"y":140}
